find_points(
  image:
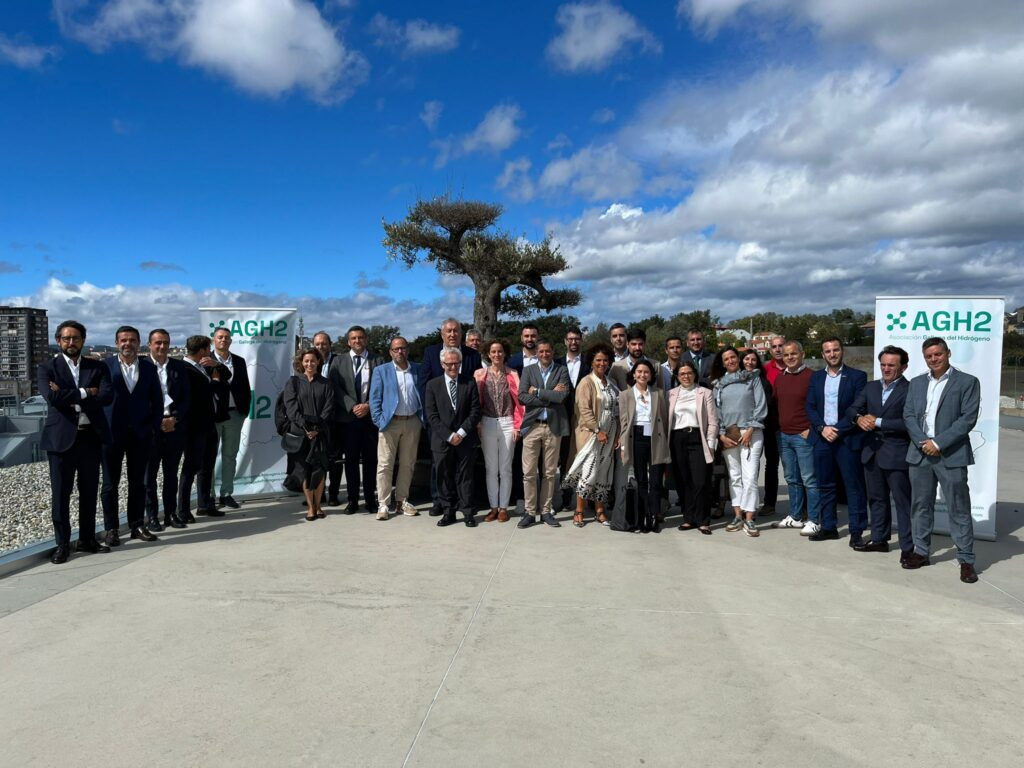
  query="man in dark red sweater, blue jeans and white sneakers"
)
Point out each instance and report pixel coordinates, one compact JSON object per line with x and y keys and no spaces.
{"x":794,"y":430}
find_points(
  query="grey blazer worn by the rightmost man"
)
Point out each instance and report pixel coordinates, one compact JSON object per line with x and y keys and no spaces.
{"x":957,"y":415}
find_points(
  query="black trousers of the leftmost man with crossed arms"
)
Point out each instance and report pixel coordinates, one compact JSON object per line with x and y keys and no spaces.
{"x":81,"y":463}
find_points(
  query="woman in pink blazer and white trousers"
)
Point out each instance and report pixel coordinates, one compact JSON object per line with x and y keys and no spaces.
{"x":499,"y":428}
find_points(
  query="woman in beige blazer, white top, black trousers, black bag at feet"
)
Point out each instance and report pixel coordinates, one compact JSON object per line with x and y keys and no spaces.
{"x":644,"y":445}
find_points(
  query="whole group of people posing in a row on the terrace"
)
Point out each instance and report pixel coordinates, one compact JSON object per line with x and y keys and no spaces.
{"x":589,"y":432}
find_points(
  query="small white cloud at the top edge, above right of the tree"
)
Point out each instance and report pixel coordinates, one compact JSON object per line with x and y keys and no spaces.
{"x":593,"y":34}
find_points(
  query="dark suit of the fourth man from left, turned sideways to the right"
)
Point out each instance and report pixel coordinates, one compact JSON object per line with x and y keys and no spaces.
{"x":208,"y":407}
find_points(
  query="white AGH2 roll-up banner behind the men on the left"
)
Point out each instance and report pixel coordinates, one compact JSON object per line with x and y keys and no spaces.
{"x":266,"y":339}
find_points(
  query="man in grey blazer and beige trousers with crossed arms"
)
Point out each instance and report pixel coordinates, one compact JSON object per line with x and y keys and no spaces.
{"x":543,"y":391}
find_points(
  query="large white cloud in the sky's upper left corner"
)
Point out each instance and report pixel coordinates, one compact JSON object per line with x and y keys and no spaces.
{"x":268,"y":48}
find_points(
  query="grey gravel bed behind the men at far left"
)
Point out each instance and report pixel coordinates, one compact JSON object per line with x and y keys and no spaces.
{"x":25,"y":505}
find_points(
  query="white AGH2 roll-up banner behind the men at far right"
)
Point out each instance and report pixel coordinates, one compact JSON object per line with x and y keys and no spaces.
{"x":972,"y":327}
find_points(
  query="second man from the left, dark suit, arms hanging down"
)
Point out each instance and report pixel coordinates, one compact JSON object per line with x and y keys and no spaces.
{"x":135,"y":415}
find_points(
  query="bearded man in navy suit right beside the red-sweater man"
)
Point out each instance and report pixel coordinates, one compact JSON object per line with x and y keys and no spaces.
{"x":836,"y":442}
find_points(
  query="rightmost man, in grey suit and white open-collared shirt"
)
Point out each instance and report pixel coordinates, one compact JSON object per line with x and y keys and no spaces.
{"x":941,"y":412}
